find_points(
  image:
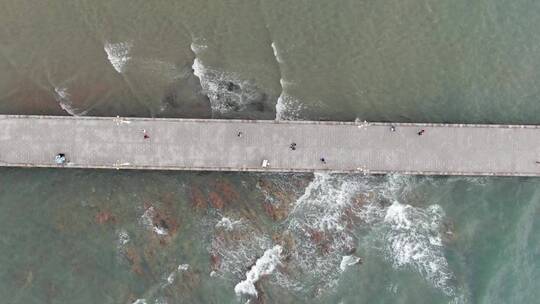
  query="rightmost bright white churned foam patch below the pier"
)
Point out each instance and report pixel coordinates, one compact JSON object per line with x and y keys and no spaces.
{"x":409,"y":237}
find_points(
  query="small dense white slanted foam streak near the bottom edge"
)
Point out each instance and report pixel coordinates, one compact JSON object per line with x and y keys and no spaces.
{"x":265,"y":265}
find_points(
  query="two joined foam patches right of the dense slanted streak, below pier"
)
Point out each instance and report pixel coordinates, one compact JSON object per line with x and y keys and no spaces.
{"x":408,"y":236}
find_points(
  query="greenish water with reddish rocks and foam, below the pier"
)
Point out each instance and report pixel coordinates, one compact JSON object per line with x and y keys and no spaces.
{"x":421,"y":240}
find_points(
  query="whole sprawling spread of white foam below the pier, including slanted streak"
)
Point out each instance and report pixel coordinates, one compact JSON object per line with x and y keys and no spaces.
{"x":318,"y":238}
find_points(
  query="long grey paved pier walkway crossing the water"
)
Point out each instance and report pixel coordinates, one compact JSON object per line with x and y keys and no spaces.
{"x":235,"y":145}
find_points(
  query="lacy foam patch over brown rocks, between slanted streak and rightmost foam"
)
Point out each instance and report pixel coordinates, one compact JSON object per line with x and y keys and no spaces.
{"x":319,"y":218}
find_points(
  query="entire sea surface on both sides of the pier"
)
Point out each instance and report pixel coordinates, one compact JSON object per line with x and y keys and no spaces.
{"x":89,"y":236}
